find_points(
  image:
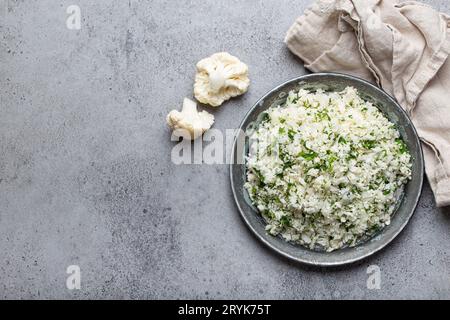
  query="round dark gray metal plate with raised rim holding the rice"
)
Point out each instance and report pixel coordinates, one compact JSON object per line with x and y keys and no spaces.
{"x":406,"y":204}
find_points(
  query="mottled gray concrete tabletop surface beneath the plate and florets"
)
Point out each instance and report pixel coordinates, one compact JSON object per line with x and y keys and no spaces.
{"x":85,"y":171}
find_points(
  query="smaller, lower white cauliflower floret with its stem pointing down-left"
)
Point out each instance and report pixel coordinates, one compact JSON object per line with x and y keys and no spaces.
{"x":189,"y":123}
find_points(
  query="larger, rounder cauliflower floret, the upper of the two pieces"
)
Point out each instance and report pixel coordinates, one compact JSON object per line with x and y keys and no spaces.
{"x":219,"y":78}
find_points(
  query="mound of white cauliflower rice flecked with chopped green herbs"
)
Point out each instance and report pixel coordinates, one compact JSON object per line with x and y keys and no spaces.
{"x":326,"y":169}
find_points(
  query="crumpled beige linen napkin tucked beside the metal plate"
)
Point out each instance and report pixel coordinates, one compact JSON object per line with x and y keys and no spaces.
{"x":402,"y":47}
